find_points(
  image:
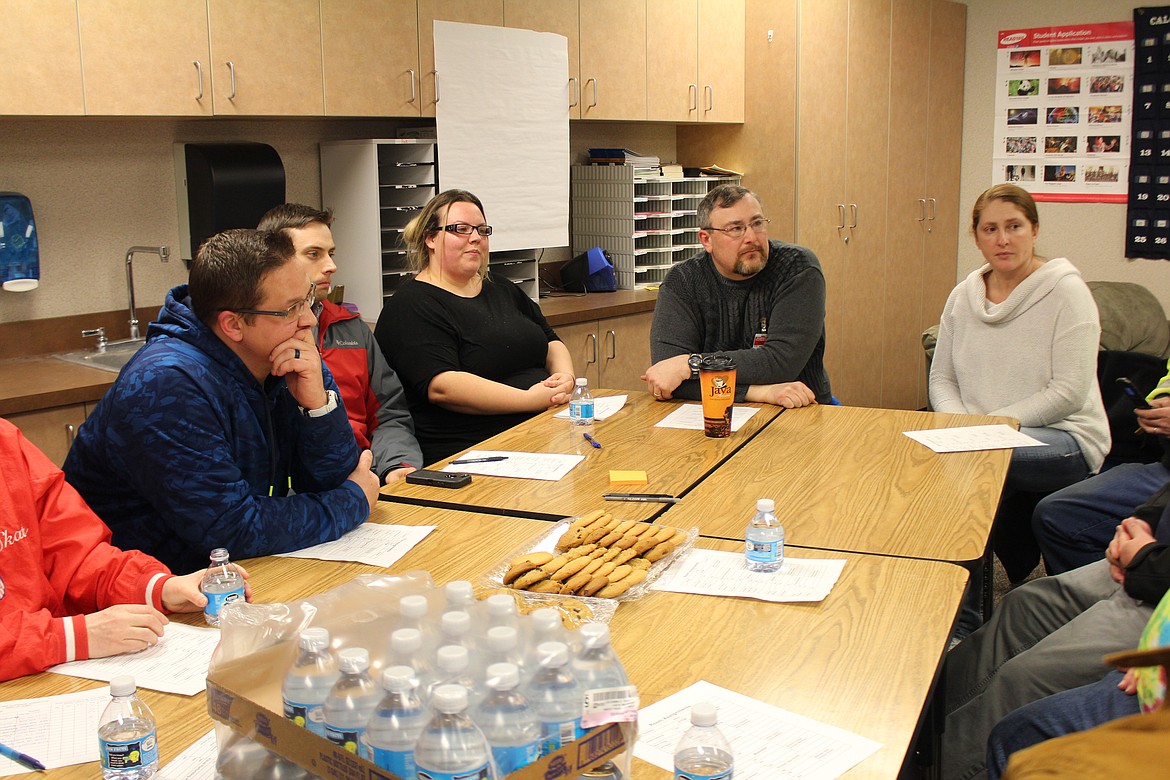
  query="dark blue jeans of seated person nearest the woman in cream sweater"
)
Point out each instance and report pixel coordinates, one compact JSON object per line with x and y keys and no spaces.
{"x":1076,"y":524}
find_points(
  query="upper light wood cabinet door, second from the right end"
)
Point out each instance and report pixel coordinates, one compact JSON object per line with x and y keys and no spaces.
{"x":672,"y":61}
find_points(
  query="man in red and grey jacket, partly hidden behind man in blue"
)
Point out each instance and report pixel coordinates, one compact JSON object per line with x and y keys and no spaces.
{"x":370,"y":390}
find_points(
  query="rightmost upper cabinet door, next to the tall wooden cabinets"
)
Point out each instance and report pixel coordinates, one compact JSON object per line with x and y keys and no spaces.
{"x":721,"y":60}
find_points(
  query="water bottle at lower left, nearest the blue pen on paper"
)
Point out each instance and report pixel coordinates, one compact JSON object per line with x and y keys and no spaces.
{"x":127,"y":735}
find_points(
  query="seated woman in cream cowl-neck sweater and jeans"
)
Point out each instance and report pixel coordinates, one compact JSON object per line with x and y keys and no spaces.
{"x":1020,"y":339}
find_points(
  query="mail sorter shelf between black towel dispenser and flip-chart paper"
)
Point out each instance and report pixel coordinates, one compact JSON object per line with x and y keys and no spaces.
{"x":375,"y":188}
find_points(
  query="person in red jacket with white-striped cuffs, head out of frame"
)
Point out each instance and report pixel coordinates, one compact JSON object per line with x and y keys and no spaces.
{"x":66,"y":592}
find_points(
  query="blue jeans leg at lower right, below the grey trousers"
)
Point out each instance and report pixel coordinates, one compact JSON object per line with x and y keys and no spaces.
{"x":1057,"y":716}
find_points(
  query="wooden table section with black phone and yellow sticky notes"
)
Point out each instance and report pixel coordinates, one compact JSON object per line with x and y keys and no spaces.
{"x":675,"y":460}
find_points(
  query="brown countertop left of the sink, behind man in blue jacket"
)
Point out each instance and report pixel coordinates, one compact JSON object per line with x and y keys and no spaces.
{"x":32,"y":384}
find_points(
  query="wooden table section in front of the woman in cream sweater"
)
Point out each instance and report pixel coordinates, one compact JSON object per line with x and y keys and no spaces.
{"x":848,"y":479}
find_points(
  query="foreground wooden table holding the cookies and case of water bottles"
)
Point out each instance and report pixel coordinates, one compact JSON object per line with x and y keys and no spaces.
{"x":863,"y":660}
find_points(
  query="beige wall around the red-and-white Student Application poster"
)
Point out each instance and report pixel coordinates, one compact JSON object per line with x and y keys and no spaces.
{"x":1092,"y":236}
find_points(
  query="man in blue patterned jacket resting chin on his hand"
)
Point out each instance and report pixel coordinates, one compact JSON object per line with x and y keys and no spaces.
{"x":225,"y":430}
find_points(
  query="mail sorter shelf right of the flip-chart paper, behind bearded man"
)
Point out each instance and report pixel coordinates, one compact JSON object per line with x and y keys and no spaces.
{"x":646,"y":225}
